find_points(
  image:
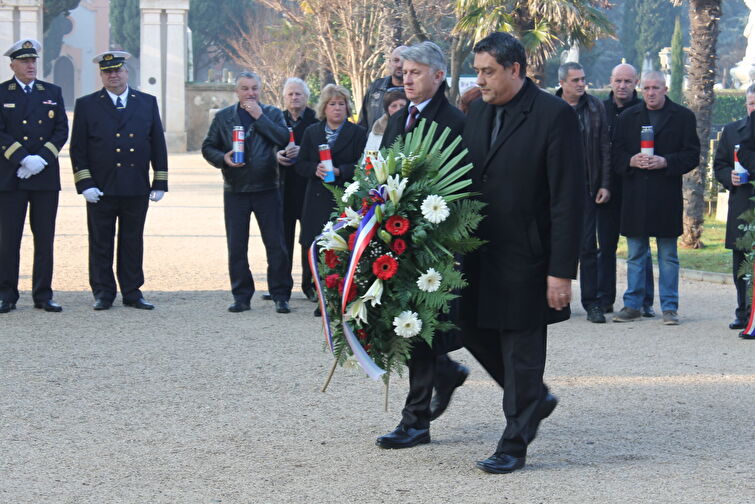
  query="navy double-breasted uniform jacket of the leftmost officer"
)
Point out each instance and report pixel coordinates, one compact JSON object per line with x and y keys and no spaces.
{"x":31,"y":125}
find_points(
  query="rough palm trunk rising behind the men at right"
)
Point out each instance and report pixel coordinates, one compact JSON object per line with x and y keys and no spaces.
{"x":704,"y":16}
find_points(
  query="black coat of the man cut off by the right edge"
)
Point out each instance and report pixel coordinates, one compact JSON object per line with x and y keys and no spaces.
{"x":739,"y":196}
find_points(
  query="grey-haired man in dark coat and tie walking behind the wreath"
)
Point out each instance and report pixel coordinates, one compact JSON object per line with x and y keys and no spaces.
{"x":424,"y":67}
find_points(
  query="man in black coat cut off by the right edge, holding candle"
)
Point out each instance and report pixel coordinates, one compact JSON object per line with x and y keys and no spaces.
{"x":736,"y":133}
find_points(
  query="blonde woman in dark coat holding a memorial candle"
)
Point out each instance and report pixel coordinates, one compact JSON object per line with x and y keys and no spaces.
{"x":346,"y":142}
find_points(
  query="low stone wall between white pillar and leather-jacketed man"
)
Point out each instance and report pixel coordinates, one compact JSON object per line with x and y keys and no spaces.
{"x":202,"y":101}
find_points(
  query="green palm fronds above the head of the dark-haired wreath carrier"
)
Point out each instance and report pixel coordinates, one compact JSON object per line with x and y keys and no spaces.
{"x":541,"y":25}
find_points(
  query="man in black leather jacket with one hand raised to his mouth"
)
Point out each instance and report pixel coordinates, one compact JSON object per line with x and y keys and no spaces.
{"x":251,"y":186}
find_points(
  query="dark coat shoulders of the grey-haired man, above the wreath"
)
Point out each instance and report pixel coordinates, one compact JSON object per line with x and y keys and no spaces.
{"x":439,"y":110}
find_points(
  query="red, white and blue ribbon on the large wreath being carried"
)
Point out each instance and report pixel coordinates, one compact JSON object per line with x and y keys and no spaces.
{"x":366,"y":230}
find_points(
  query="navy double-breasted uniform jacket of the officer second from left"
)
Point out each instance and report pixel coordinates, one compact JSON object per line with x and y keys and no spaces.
{"x":112,"y":150}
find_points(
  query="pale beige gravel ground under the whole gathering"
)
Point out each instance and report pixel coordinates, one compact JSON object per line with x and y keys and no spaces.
{"x":192,"y":404}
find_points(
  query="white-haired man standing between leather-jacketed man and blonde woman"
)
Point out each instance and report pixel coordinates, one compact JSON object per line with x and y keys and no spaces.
{"x":298,"y":117}
